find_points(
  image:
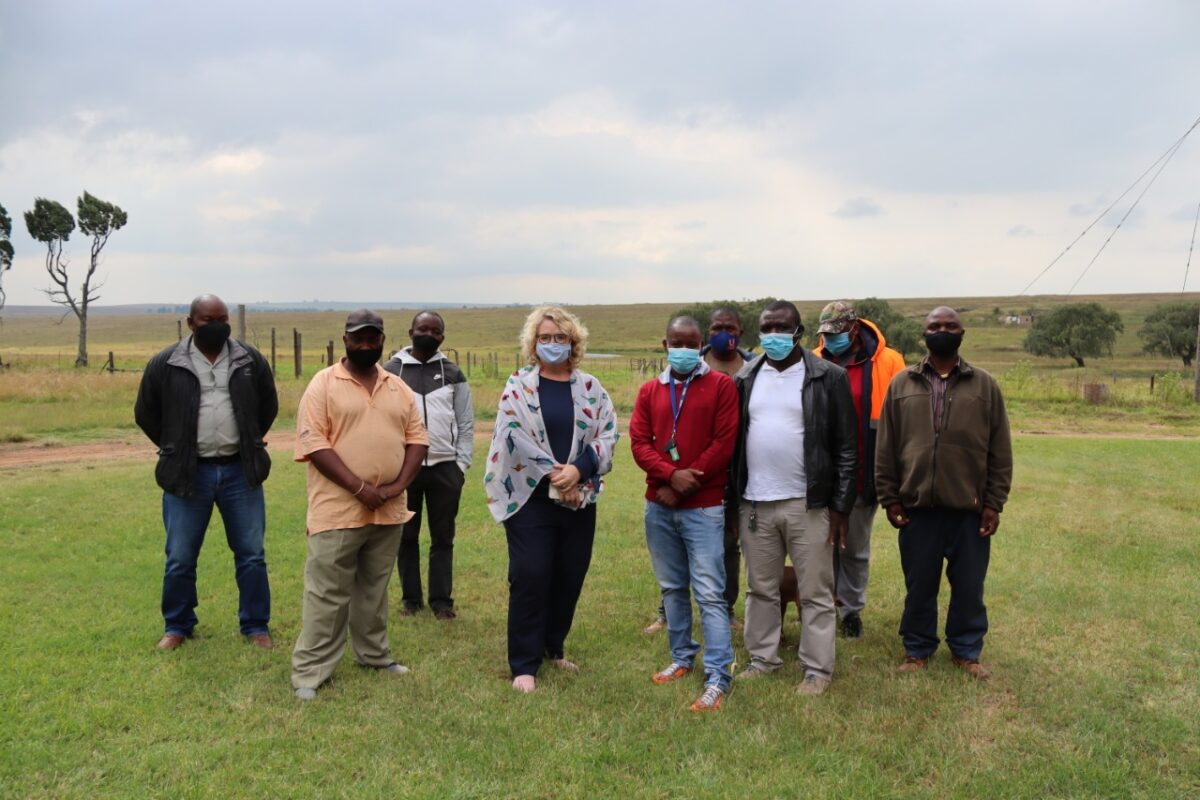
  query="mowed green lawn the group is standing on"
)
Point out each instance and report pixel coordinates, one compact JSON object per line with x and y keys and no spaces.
{"x":1094,"y":599}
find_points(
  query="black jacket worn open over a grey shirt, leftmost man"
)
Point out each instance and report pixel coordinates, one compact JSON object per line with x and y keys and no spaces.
{"x":169,"y":408}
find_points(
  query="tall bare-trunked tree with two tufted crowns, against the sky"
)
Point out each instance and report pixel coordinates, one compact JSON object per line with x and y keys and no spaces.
{"x":52,"y":225}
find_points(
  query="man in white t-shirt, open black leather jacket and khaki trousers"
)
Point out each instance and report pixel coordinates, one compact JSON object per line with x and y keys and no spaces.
{"x":794,"y":483}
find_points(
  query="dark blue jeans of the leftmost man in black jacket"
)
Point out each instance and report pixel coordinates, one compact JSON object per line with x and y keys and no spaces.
{"x":187,"y":520}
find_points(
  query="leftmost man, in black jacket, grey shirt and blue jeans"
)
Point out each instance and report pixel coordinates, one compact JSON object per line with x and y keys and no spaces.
{"x":207,"y":404}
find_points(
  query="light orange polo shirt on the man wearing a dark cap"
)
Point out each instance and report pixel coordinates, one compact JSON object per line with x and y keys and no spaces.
{"x":369,"y":432}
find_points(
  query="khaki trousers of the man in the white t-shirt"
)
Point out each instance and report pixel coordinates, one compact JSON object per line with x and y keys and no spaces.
{"x":789,"y":528}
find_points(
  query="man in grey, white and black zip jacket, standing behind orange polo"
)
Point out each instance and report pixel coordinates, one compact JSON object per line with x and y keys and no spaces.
{"x":443,"y":396}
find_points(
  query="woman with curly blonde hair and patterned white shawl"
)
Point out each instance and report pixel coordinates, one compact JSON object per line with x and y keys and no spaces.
{"x":555,"y":434}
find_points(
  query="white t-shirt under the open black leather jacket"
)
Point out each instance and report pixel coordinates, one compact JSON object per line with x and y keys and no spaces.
{"x":776,"y":436}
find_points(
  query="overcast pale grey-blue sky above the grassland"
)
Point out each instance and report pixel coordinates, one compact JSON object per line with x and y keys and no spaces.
{"x":603,"y":152}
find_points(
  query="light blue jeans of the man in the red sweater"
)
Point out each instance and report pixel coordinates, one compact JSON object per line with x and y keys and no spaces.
{"x":688,"y":549}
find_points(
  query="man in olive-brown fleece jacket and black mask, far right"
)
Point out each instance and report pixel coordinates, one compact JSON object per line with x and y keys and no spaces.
{"x":944,"y":468}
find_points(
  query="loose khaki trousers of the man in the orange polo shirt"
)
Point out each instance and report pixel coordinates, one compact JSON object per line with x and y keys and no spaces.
{"x":345,"y":582}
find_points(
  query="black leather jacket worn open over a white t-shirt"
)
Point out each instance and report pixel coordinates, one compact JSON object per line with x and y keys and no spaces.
{"x":831,"y":431}
